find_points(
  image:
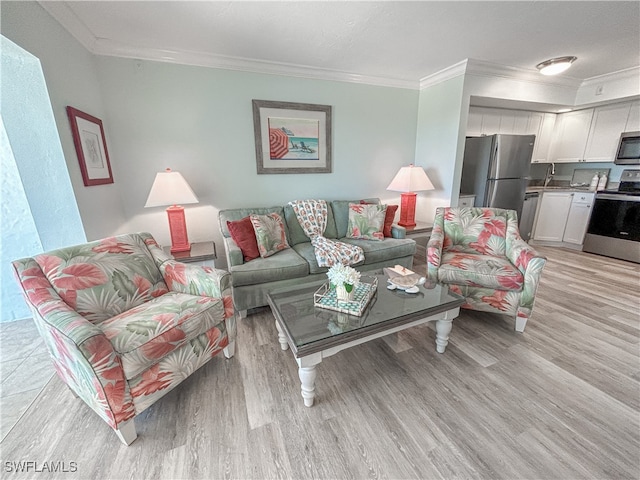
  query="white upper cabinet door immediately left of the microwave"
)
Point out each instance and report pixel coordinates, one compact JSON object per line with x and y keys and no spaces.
{"x":606,"y":126}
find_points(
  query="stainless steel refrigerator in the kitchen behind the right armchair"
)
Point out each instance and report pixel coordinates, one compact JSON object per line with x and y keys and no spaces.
{"x":496,"y":170}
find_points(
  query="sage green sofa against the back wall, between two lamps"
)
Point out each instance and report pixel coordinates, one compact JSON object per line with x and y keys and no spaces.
{"x":252,"y":281}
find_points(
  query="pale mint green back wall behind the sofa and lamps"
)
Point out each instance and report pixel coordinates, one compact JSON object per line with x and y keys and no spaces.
{"x":199,"y":122}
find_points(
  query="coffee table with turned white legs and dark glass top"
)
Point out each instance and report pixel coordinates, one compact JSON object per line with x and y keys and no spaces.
{"x":314,"y":333}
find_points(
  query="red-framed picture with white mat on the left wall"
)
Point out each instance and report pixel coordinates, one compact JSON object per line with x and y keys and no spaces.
{"x":91,"y":148}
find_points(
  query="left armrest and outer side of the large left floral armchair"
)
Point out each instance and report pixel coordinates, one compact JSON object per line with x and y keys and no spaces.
{"x":83,"y":356}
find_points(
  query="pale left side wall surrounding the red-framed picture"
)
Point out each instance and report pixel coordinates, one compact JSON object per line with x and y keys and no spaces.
{"x":72,"y":79}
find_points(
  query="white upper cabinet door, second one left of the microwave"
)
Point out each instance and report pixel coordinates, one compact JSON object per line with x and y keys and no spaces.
{"x":570,"y":137}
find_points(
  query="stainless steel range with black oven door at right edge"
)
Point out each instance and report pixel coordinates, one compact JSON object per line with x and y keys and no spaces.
{"x":614,"y":227}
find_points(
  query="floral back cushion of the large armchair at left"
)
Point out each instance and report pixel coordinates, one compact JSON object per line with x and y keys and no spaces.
{"x":104,"y":278}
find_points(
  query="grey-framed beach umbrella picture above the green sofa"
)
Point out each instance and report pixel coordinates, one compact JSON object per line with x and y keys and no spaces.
{"x":292,"y":137}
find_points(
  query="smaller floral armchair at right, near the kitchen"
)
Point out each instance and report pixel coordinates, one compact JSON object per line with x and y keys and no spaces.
{"x":478,"y":252}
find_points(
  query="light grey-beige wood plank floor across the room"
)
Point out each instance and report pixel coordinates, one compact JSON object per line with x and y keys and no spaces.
{"x":560,"y":401}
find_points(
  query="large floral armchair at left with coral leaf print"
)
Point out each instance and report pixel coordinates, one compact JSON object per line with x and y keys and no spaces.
{"x":124,"y":323}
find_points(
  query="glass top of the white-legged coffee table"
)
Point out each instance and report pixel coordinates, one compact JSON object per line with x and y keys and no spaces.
{"x":310,"y":328}
